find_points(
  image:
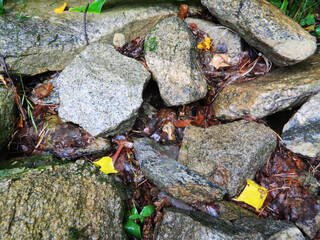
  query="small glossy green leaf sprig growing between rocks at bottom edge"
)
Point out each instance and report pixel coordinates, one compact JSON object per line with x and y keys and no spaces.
{"x":131,"y":226}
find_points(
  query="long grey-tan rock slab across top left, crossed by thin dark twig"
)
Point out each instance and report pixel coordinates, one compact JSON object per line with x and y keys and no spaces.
{"x":49,"y":41}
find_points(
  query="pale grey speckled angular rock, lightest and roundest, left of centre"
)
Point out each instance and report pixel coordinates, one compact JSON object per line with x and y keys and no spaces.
{"x":101,"y":90}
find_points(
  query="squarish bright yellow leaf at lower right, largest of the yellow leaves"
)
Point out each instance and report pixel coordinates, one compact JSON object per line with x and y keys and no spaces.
{"x":253,"y":195}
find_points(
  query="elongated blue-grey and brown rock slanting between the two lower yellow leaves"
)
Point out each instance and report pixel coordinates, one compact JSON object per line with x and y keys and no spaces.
{"x":170,"y":176}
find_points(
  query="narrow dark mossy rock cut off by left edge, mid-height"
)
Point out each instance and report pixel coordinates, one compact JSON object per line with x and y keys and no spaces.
{"x":7,"y":114}
